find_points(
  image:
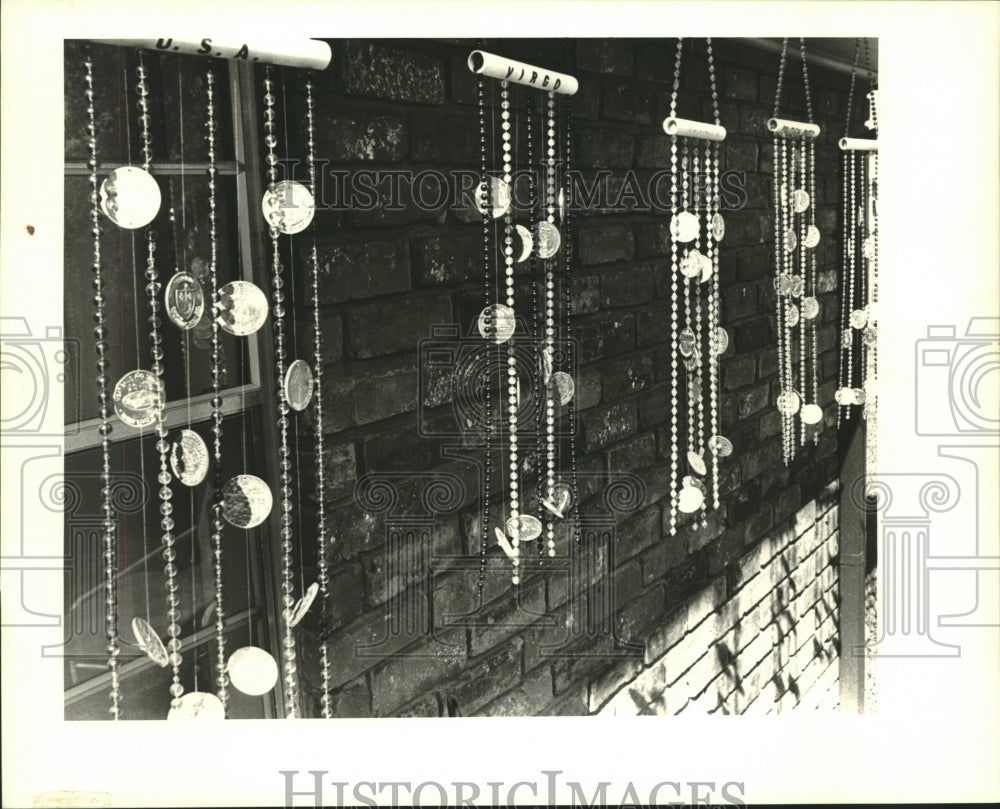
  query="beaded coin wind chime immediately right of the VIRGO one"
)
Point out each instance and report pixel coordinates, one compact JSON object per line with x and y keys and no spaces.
{"x":696,"y":337}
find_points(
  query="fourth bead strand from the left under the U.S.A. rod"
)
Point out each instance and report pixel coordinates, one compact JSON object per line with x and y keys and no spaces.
{"x":285,"y":463}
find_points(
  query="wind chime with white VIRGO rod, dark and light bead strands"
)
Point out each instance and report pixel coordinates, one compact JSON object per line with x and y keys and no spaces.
{"x":545,"y":240}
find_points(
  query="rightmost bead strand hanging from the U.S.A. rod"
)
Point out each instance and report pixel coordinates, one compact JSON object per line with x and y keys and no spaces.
{"x":326,"y":705}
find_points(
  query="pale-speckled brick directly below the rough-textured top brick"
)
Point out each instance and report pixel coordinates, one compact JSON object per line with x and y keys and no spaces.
{"x":360,"y":136}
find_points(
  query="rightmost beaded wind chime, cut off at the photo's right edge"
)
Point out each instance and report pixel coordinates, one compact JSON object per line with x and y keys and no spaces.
{"x":859,"y":287}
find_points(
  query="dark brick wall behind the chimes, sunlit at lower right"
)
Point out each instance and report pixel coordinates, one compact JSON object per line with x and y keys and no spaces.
{"x":740,"y":615}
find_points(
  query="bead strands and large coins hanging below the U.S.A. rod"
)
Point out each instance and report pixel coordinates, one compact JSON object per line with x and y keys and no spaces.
{"x":130,"y":197}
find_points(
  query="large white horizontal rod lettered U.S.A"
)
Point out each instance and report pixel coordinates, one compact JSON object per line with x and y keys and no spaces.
{"x":306,"y":53}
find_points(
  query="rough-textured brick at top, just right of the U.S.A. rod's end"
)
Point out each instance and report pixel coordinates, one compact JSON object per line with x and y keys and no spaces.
{"x":374,"y":71}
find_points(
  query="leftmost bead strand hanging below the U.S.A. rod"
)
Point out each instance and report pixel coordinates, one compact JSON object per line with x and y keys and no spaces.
{"x":108,"y":522}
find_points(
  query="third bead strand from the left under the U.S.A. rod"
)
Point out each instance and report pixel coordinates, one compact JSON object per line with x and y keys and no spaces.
{"x":221,"y":678}
